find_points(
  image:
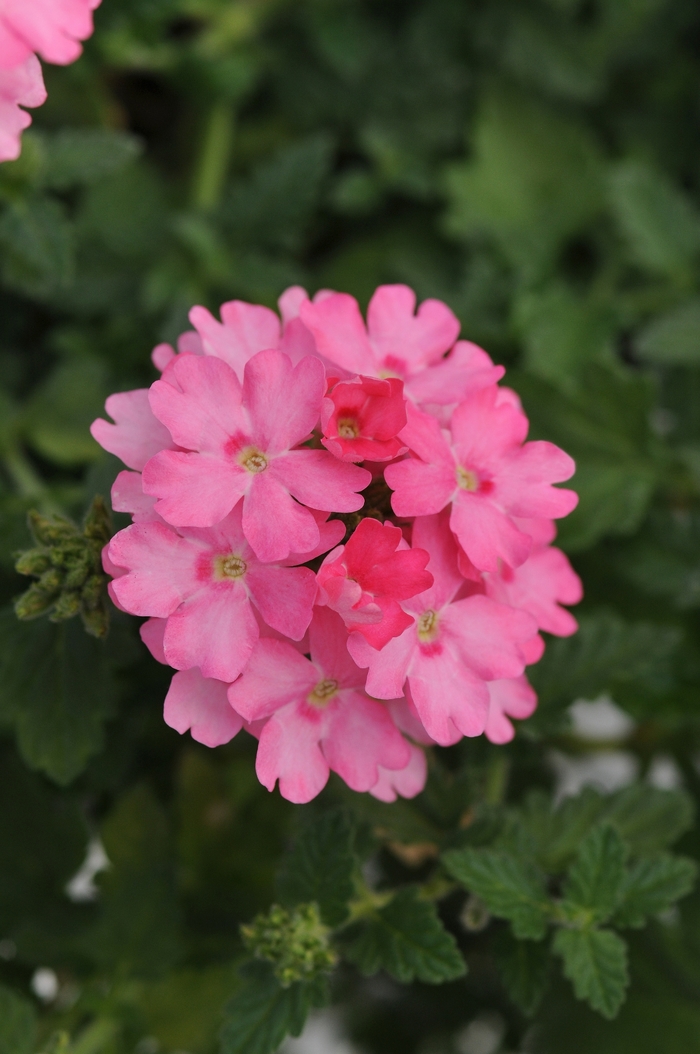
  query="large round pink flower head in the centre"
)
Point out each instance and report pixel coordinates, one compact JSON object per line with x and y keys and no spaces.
{"x":341,"y":538}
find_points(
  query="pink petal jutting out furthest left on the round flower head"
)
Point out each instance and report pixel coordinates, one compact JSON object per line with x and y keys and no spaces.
{"x":138,"y":435}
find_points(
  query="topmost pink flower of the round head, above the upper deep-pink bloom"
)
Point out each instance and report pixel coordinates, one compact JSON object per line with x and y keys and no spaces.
{"x":400,"y":343}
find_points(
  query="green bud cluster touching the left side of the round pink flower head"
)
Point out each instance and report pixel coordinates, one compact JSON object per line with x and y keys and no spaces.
{"x":68,"y":564}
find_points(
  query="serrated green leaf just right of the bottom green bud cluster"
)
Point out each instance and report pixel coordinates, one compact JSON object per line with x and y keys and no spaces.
{"x":407,"y":940}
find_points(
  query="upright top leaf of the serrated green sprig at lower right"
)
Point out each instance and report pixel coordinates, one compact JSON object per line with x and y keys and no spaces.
{"x":596,"y":879}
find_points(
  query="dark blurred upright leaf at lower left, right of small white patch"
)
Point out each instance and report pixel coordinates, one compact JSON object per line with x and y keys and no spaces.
{"x":139,"y":929}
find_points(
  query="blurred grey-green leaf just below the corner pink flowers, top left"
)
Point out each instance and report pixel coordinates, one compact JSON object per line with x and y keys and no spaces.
{"x":82,"y":157}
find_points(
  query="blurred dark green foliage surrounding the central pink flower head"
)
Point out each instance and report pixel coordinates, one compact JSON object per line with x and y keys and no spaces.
{"x":536,"y":164}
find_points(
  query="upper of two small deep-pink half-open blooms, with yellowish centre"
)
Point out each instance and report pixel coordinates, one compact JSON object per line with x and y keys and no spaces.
{"x":361,"y":420}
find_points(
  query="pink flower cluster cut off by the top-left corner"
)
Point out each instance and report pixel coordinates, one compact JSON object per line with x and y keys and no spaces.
{"x":51,"y":29}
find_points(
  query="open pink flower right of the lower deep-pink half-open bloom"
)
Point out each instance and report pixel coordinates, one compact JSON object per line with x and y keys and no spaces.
{"x":453,"y":650}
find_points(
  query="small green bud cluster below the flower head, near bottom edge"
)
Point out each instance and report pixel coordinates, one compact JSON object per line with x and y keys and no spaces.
{"x":296,"y":942}
